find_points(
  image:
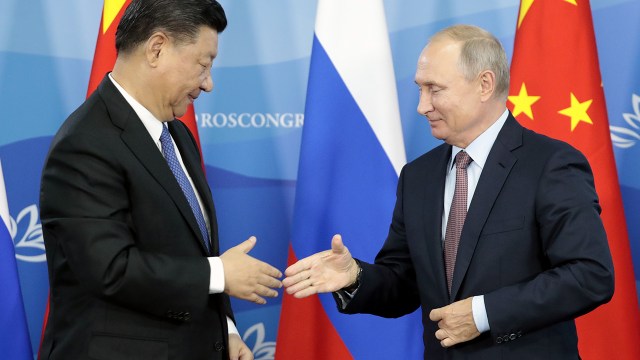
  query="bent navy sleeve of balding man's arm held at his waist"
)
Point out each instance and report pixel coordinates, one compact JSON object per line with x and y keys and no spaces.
{"x":578,"y":269}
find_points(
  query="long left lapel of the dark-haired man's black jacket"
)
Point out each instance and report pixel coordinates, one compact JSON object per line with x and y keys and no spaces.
{"x":138,"y":140}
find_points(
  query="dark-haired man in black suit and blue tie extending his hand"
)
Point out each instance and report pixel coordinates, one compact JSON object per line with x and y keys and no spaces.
{"x":128,"y":219}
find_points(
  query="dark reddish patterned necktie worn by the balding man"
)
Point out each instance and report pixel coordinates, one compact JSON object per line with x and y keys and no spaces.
{"x":457,"y":215}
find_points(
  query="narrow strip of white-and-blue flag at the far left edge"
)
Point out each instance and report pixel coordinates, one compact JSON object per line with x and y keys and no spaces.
{"x":14,"y":342}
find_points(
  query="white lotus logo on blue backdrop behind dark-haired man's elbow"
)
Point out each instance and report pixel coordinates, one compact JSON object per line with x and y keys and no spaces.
{"x":29,"y":243}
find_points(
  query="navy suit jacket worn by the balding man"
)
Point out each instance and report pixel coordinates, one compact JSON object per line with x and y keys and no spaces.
{"x":533,"y":244}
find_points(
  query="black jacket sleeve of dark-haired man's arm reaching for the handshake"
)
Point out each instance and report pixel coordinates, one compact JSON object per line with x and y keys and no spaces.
{"x":85,"y":204}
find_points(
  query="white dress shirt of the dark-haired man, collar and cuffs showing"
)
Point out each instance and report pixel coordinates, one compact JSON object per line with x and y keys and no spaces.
{"x":154,"y":127}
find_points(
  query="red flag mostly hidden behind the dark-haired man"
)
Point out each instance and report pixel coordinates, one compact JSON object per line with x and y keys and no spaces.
{"x":103,"y":60}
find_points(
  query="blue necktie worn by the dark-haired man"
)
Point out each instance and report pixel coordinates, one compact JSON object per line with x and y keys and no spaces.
{"x":170,"y":155}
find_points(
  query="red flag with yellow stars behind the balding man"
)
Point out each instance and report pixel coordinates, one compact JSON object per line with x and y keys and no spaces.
{"x":556,"y":89}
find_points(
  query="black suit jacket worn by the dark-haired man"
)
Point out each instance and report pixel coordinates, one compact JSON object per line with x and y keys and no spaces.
{"x":127,"y":267}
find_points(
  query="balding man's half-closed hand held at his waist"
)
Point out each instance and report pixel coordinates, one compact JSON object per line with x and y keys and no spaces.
{"x":455,"y":323}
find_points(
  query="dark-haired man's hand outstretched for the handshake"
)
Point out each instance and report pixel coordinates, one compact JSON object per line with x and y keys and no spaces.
{"x":248,"y":278}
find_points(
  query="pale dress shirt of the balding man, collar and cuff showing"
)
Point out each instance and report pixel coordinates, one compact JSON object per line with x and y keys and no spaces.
{"x":479,"y":151}
